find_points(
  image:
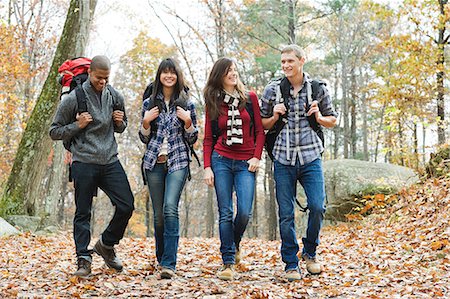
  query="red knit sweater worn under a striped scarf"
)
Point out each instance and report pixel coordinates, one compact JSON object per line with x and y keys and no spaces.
{"x":251,"y":147}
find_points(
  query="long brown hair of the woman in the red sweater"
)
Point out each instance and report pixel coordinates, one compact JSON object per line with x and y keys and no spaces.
{"x":214,"y":87}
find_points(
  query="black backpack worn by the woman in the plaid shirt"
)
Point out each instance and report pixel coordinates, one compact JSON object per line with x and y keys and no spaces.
{"x":154,"y":124}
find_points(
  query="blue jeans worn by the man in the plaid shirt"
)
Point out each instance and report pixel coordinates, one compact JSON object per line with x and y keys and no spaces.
{"x":311,"y":178}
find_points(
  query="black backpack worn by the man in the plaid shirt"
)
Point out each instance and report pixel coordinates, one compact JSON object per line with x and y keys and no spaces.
{"x":273,"y":133}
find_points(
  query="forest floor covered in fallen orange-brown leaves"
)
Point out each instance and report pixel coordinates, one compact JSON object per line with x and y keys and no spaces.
{"x":402,"y":250}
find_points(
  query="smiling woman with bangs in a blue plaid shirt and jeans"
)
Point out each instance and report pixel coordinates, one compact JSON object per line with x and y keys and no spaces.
{"x":168,"y":125}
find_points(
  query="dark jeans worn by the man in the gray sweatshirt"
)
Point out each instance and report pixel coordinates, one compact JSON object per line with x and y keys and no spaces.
{"x":110,"y":178}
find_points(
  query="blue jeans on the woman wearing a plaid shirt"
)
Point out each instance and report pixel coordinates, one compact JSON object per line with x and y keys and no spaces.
{"x":165,"y":191}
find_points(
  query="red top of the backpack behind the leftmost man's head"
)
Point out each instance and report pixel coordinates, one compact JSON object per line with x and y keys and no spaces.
{"x":73,"y":72}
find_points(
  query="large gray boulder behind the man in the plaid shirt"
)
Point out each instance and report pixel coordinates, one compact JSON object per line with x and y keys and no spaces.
{"x":348,"y":179}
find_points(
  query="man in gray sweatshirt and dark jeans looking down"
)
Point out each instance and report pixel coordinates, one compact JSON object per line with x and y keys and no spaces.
{"x":95,"y":163}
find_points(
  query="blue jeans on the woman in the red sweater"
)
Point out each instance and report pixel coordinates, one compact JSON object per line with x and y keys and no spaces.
{"x":232,"y":174}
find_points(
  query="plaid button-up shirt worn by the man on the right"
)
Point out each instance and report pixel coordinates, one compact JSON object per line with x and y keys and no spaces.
{"x":304,"y":143}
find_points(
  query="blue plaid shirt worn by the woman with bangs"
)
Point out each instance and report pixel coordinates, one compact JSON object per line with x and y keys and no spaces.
{"x":170,"y":127}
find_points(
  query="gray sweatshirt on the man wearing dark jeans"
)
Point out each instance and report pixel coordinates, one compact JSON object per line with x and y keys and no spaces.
{"x":95,"y":143}
